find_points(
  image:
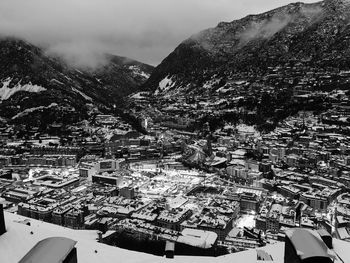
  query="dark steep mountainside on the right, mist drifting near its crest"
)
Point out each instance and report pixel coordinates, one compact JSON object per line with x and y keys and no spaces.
{"x":316,"y":35}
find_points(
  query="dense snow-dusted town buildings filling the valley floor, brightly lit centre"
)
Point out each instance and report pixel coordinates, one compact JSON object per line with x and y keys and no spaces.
{"x":171,"y":181}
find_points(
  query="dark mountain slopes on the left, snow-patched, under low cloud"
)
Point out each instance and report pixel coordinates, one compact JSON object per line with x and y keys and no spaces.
{"x":66,"y":94}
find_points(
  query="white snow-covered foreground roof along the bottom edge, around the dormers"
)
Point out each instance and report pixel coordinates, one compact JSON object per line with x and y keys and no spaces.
{"x":18,"y":240}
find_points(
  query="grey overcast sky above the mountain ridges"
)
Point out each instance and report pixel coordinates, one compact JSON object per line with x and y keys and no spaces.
{"x":146,"y":30}
